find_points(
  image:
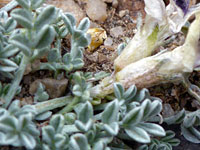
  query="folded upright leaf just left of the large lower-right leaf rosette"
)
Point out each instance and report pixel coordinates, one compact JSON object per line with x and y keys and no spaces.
{"x":111,"y":112}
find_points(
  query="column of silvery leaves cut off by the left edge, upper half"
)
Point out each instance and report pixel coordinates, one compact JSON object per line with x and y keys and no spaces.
{"x":7,"y":25}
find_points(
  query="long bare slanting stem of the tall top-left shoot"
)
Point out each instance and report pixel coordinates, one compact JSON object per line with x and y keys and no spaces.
{"x":16,"y":81}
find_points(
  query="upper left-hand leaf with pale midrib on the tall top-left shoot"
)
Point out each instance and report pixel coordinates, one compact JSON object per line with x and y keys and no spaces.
{"x":23,"y":17}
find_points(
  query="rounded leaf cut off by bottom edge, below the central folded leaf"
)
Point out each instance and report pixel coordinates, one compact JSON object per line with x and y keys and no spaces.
{"x":78,"y":142}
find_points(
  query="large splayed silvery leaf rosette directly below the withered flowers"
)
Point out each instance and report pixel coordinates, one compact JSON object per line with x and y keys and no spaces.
{"x":134,"y":117}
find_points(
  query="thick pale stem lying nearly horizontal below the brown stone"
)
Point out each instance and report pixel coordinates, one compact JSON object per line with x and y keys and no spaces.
{"x":52,"y":104}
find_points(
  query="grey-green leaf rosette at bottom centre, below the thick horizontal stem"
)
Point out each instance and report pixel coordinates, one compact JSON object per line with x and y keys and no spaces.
{"x":85,"y":133}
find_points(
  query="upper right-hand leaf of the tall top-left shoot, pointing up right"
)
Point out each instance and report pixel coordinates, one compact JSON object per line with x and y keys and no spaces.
{"x":46,"y":17}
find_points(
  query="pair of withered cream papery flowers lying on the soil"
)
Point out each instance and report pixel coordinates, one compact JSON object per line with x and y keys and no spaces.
{"x":134,"y":67}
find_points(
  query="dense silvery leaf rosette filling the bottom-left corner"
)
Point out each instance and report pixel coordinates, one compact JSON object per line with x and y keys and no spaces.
{"x":16,"y":126}
